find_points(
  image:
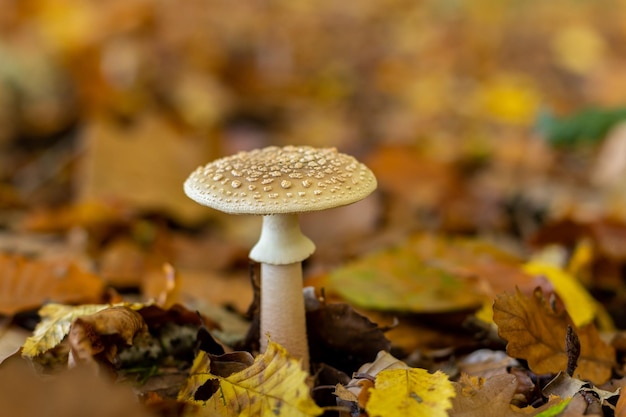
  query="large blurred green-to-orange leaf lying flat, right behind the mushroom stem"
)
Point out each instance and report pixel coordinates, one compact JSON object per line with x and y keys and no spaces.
{"x":430,"y":273}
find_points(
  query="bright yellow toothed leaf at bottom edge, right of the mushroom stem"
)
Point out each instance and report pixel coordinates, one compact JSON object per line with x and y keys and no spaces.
{"x":410,"y":392}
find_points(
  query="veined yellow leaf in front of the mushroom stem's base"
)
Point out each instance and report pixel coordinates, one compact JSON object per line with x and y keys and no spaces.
{"x":273,"y":385}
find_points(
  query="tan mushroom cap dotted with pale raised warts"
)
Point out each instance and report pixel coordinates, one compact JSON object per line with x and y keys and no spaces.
{"x":278,"y":180}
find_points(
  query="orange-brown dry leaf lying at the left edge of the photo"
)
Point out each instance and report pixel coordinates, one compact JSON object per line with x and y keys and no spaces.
{"x":26,"y":283}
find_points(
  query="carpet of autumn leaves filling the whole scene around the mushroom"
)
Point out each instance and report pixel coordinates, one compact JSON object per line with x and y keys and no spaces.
{"x":488,"y":158}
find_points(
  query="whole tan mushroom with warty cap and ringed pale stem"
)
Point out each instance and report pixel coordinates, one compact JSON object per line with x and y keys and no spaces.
{"x":279,"y":183}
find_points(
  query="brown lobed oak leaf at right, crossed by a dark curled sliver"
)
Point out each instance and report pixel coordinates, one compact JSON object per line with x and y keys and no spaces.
{"x":534,"y":331}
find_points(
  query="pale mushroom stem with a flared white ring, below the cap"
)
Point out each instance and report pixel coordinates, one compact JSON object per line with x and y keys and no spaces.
{"x":281,"y":249}
